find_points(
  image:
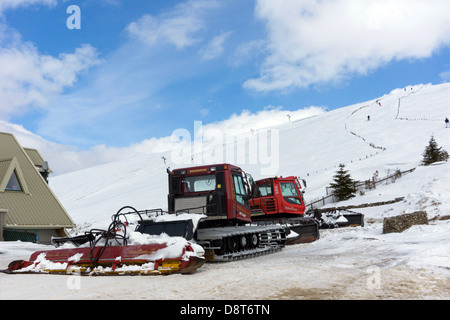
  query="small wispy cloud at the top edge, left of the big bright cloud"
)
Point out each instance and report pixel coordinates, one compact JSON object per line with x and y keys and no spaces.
{"x":177,"y":26}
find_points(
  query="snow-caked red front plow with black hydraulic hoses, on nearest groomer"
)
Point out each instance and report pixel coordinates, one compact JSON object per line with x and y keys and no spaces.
{"x":108,"y":252}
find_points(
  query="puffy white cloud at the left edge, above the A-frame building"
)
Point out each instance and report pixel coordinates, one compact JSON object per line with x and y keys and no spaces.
{"x":30,"y":78}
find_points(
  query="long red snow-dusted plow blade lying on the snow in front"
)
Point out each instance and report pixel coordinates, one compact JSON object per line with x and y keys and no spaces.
{"x":114,"y":260}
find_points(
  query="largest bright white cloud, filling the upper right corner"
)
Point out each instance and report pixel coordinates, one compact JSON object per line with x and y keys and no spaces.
{"x":314,"y":41}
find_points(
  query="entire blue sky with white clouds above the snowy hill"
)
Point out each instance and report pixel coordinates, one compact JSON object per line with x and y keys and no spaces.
{"x":140,"y":69}
